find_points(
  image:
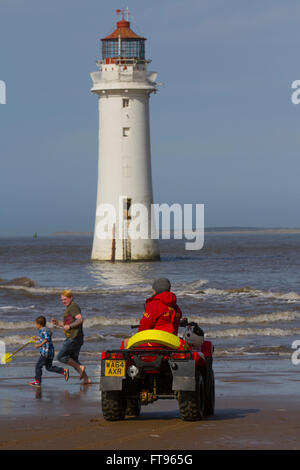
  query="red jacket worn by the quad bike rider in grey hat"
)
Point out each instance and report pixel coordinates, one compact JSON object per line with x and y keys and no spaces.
{"x":161,"y":313}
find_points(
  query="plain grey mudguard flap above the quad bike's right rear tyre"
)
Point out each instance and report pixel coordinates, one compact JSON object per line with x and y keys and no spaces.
{"x":183,"y":376}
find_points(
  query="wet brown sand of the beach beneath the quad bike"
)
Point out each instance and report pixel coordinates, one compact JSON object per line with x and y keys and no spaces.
{"x":255,"y":409}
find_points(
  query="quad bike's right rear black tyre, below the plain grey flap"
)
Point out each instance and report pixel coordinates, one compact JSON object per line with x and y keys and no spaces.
{"x":191,"y":404}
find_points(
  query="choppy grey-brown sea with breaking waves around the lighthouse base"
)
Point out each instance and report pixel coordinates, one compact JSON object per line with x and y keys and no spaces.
{"x":242,"y":288}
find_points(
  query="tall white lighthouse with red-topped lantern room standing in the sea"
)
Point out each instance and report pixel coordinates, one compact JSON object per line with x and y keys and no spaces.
{"x":124,"y":215}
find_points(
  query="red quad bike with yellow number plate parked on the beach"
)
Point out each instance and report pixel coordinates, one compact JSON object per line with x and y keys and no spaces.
{"x":134,"y":377}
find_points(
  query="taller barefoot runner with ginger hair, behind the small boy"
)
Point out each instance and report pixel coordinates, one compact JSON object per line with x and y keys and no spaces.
{"x":72,"y":325}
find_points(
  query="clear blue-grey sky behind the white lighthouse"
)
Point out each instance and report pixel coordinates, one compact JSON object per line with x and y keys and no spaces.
{"x":224,"y":131}
